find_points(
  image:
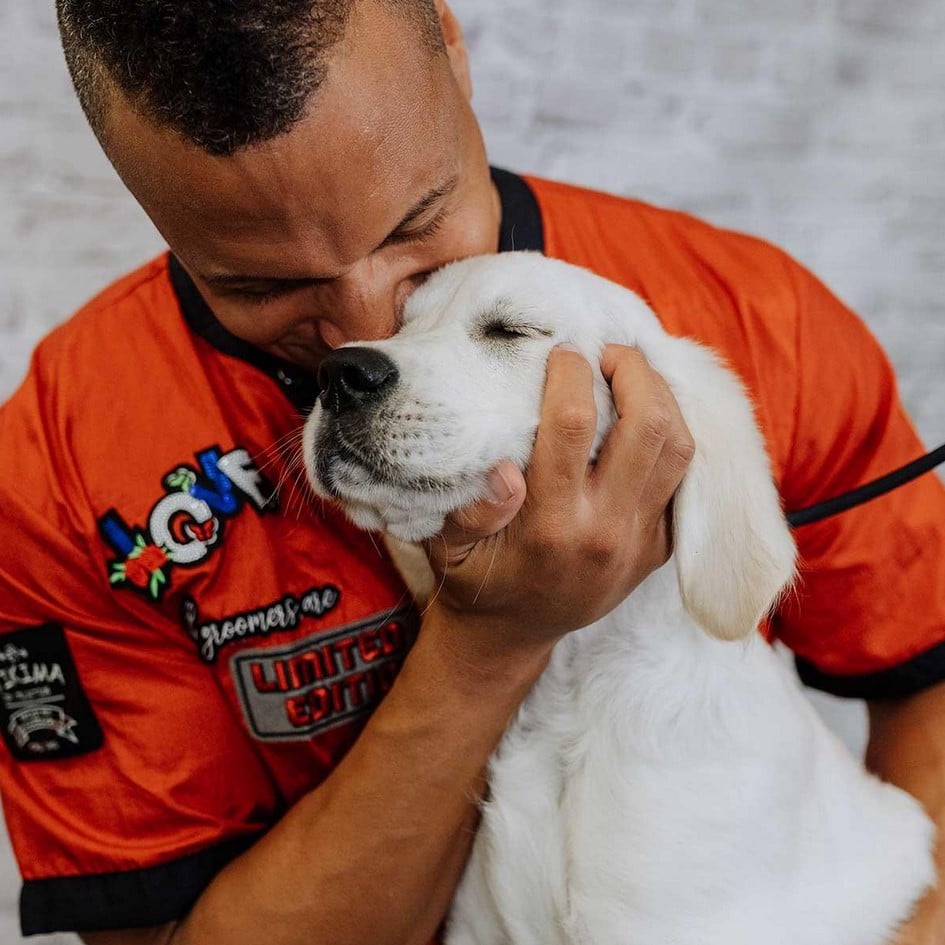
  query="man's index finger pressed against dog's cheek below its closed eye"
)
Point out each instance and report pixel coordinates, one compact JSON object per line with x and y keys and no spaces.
{"x":566,"y":428}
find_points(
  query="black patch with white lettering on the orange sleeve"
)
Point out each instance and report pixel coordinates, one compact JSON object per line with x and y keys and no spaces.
{"x":44,"y":711}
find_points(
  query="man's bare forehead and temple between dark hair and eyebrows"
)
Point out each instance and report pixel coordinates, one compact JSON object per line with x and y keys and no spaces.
{"x":380,"y":134}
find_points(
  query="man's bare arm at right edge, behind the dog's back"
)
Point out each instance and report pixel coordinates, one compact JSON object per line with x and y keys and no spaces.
{"x":907,"y":748}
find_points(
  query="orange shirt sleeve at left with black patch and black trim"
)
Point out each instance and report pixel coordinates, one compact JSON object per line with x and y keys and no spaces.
{"x":127,"y":781}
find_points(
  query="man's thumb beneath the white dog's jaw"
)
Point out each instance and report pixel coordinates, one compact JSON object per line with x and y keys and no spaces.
{"x":466,"y":527}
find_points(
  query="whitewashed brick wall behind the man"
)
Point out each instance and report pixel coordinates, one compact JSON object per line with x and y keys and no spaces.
{"x":819,"y":124}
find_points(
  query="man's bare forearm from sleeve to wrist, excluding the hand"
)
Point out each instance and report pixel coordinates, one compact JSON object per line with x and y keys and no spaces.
{"x":374,"y":854}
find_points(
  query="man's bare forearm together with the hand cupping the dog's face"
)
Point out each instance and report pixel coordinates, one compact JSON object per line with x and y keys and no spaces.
{"x":375,"y":852}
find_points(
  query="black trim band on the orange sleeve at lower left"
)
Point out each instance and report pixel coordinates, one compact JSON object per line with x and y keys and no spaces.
{"x":126,"y":900}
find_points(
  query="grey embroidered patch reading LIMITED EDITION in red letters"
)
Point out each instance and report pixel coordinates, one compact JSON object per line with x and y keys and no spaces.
{"x":291,"y":692}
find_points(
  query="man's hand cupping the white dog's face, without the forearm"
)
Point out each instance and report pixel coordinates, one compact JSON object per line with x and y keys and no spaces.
{"x":561,"y":547}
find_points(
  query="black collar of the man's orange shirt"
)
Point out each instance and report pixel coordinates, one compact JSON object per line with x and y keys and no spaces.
{"x":521,"y":229}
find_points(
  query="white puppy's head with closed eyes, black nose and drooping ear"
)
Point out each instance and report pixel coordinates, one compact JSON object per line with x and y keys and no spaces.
{"x":407,"y":429}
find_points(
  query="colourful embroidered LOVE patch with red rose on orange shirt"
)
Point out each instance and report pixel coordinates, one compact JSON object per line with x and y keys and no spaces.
{"x":187,"y":523}
